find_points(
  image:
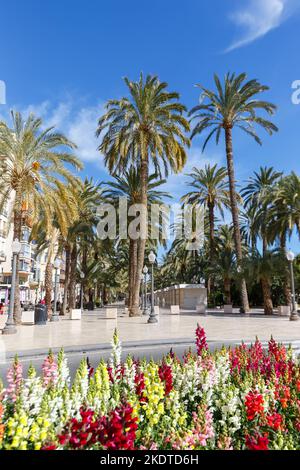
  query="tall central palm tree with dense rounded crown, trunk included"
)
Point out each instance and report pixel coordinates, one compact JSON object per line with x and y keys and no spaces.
{"x":148,"y":126}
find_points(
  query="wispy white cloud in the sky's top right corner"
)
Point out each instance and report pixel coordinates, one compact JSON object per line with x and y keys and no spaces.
{"x":259,"y":17}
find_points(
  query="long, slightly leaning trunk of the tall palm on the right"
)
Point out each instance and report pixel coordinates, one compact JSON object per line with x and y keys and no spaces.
{"x":235,"y":214}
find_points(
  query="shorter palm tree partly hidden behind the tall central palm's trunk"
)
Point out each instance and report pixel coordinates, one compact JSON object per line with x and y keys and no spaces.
{"x":128,"y":186}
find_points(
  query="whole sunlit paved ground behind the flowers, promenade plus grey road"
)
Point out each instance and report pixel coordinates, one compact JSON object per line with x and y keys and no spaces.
{"x":91,"y":336}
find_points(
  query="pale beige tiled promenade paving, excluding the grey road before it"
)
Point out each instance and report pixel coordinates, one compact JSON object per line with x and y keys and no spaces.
{"x":94,"y":331}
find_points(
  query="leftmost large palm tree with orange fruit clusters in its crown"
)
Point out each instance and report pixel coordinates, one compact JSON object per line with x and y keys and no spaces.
{"x":32,"y":166}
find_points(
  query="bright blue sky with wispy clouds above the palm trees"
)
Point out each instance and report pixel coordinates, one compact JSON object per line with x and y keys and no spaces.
{"x":64,"y":59}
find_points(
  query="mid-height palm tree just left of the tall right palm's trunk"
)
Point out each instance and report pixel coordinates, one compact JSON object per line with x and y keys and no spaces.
{"x":210,"y":189}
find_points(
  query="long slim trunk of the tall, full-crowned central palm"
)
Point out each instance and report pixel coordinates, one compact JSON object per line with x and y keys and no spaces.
{"x":135,"y":310}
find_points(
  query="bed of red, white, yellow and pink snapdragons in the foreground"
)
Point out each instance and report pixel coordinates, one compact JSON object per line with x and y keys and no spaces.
{"x":244,"y":398}
